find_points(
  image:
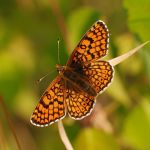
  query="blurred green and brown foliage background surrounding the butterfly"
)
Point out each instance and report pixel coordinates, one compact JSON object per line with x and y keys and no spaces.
{"x":29,"y":30}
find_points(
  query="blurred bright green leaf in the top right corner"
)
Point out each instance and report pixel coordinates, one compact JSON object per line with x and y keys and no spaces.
{"x":139,"y":17}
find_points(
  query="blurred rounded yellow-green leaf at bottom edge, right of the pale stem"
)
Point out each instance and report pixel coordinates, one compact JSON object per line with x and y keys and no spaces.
{"x":92,"y":139}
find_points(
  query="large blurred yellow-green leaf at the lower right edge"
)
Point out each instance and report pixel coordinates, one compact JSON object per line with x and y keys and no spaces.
{"x":136,"y":130}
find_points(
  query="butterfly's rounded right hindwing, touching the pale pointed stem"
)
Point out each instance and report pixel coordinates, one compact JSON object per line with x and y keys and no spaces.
{"x":99,"y":74}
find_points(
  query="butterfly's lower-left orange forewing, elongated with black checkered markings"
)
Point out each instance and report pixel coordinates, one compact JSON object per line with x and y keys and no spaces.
{"x":51,"y":106}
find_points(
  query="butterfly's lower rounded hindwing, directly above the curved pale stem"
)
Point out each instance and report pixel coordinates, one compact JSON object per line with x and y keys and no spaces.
{"x":79,"y":103}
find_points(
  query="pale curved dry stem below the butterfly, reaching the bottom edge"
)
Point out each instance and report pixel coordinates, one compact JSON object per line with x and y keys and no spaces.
{"x":64,"y":136}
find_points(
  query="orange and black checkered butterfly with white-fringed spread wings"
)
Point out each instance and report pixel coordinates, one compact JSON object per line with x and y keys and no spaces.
{"x":75,"y":89}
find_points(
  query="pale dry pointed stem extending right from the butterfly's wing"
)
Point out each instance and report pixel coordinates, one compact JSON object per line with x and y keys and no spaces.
{"x":121,"y":58}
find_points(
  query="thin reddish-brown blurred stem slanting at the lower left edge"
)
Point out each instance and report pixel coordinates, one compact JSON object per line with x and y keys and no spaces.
{"x":4,"y":108}
